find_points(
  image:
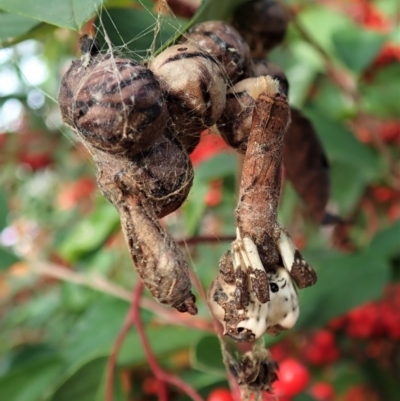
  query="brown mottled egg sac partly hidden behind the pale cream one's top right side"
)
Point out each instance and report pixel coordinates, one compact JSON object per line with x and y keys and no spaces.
{"x":224,"y":43}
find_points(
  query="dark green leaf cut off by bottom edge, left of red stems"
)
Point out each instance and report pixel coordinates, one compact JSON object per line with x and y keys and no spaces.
{"x":83,"y":384}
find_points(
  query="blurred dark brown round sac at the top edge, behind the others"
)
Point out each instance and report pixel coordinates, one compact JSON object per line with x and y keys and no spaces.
{"x":262,"y":23}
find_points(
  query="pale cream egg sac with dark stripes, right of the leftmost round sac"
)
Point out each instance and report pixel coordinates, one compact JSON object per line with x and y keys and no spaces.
{"x":194,"y":87}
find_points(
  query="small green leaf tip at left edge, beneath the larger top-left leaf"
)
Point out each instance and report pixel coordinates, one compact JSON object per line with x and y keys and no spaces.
{"x":12,"y":26}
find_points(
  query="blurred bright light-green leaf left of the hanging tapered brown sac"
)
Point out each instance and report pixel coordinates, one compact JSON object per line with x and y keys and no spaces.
{"x":91,"y":233}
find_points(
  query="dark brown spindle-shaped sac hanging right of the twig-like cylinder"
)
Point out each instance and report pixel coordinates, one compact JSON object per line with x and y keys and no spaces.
{"x":306,"y":165}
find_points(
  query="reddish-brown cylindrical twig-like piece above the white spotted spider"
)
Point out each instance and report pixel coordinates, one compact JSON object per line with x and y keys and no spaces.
{"x":256,"y":212}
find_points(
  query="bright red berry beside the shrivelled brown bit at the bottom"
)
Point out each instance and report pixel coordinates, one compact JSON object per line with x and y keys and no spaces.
{"x":293,"y":378}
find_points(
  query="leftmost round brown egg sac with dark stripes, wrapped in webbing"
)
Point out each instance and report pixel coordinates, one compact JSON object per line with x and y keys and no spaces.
{"x":114,"y":104}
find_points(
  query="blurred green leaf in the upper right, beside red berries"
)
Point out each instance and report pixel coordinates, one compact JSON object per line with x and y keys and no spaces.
{"x":357,"y":47}
